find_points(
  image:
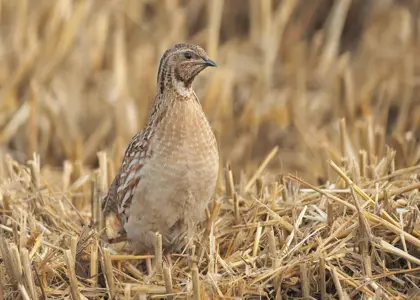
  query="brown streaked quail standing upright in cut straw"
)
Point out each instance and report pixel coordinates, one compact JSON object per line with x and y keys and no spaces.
{"x":169,"y":171}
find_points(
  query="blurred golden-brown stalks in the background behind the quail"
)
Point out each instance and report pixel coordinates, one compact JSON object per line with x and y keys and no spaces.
{"x":79,"y":76}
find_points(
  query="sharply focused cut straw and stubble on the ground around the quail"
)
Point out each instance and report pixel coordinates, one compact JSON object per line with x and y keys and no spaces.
{"x":355,"y":237}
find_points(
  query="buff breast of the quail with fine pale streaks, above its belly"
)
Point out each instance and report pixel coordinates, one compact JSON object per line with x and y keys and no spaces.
{"x":184,"y":146}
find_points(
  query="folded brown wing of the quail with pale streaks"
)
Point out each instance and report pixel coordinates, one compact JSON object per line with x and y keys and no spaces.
{"x":121,"y":191}
